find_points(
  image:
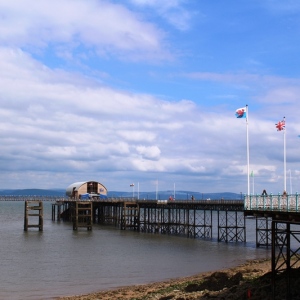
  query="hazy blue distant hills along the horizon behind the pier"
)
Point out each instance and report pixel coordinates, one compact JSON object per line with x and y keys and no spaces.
{"x":161,"y":195}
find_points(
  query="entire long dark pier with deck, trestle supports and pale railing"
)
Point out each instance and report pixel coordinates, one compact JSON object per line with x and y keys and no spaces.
{"x":185,"y":218}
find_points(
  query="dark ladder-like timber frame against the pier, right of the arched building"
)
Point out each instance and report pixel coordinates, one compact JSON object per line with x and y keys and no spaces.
{"x":130,"y":216}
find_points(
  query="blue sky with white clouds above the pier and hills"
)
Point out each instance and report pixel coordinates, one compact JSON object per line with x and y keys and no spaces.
{"x":145,"y":92}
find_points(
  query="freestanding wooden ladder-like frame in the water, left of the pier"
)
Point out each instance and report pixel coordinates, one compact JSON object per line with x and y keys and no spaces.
{"x":33,"y":208}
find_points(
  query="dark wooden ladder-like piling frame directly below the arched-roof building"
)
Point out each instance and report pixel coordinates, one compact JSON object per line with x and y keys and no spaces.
{"x":83,"y":215}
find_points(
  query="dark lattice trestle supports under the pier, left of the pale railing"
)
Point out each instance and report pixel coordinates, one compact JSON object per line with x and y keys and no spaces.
{"x":184,"y":218}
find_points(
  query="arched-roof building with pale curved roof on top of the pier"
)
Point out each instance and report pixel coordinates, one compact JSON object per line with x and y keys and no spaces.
{"x":86,"y":189}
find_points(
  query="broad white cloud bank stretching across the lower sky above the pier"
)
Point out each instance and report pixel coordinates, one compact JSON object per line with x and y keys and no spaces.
{"x":60,"y":122}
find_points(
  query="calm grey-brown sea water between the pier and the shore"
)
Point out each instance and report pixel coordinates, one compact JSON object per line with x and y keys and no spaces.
{"x":60,"y":261}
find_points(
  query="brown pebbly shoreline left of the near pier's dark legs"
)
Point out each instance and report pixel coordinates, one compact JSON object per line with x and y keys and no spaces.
{"x":229,"y":283}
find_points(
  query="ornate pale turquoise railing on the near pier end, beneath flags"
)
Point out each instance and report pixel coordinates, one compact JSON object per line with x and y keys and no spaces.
{"x":287,"y":203}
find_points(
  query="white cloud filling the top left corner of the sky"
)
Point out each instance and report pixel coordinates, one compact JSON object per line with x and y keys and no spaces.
{"x":73,"y":26}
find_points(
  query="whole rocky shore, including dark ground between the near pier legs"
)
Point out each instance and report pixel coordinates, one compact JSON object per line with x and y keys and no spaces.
{"x":251,"y":280}
